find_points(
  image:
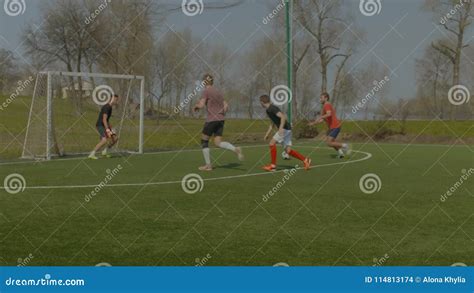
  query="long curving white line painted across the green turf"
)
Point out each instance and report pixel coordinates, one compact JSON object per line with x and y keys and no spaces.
{"x":366,"y":157}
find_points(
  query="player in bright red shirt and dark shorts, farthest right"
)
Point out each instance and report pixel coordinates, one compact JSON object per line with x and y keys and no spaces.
{"x":328,"y":114}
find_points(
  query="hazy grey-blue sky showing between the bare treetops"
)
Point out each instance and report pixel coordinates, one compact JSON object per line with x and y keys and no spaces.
{"x":395,"y":36}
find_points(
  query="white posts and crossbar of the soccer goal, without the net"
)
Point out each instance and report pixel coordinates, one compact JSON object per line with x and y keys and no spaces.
{"x":49,"y":105}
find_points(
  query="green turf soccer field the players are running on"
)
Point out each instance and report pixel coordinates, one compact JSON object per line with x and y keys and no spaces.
{"x":135,"y":210}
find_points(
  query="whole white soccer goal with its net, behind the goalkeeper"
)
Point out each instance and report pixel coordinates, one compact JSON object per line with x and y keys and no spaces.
{"x":65,"y":108}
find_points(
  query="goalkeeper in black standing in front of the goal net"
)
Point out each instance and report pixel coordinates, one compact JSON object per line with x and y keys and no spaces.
{"x":107,"y":136}
